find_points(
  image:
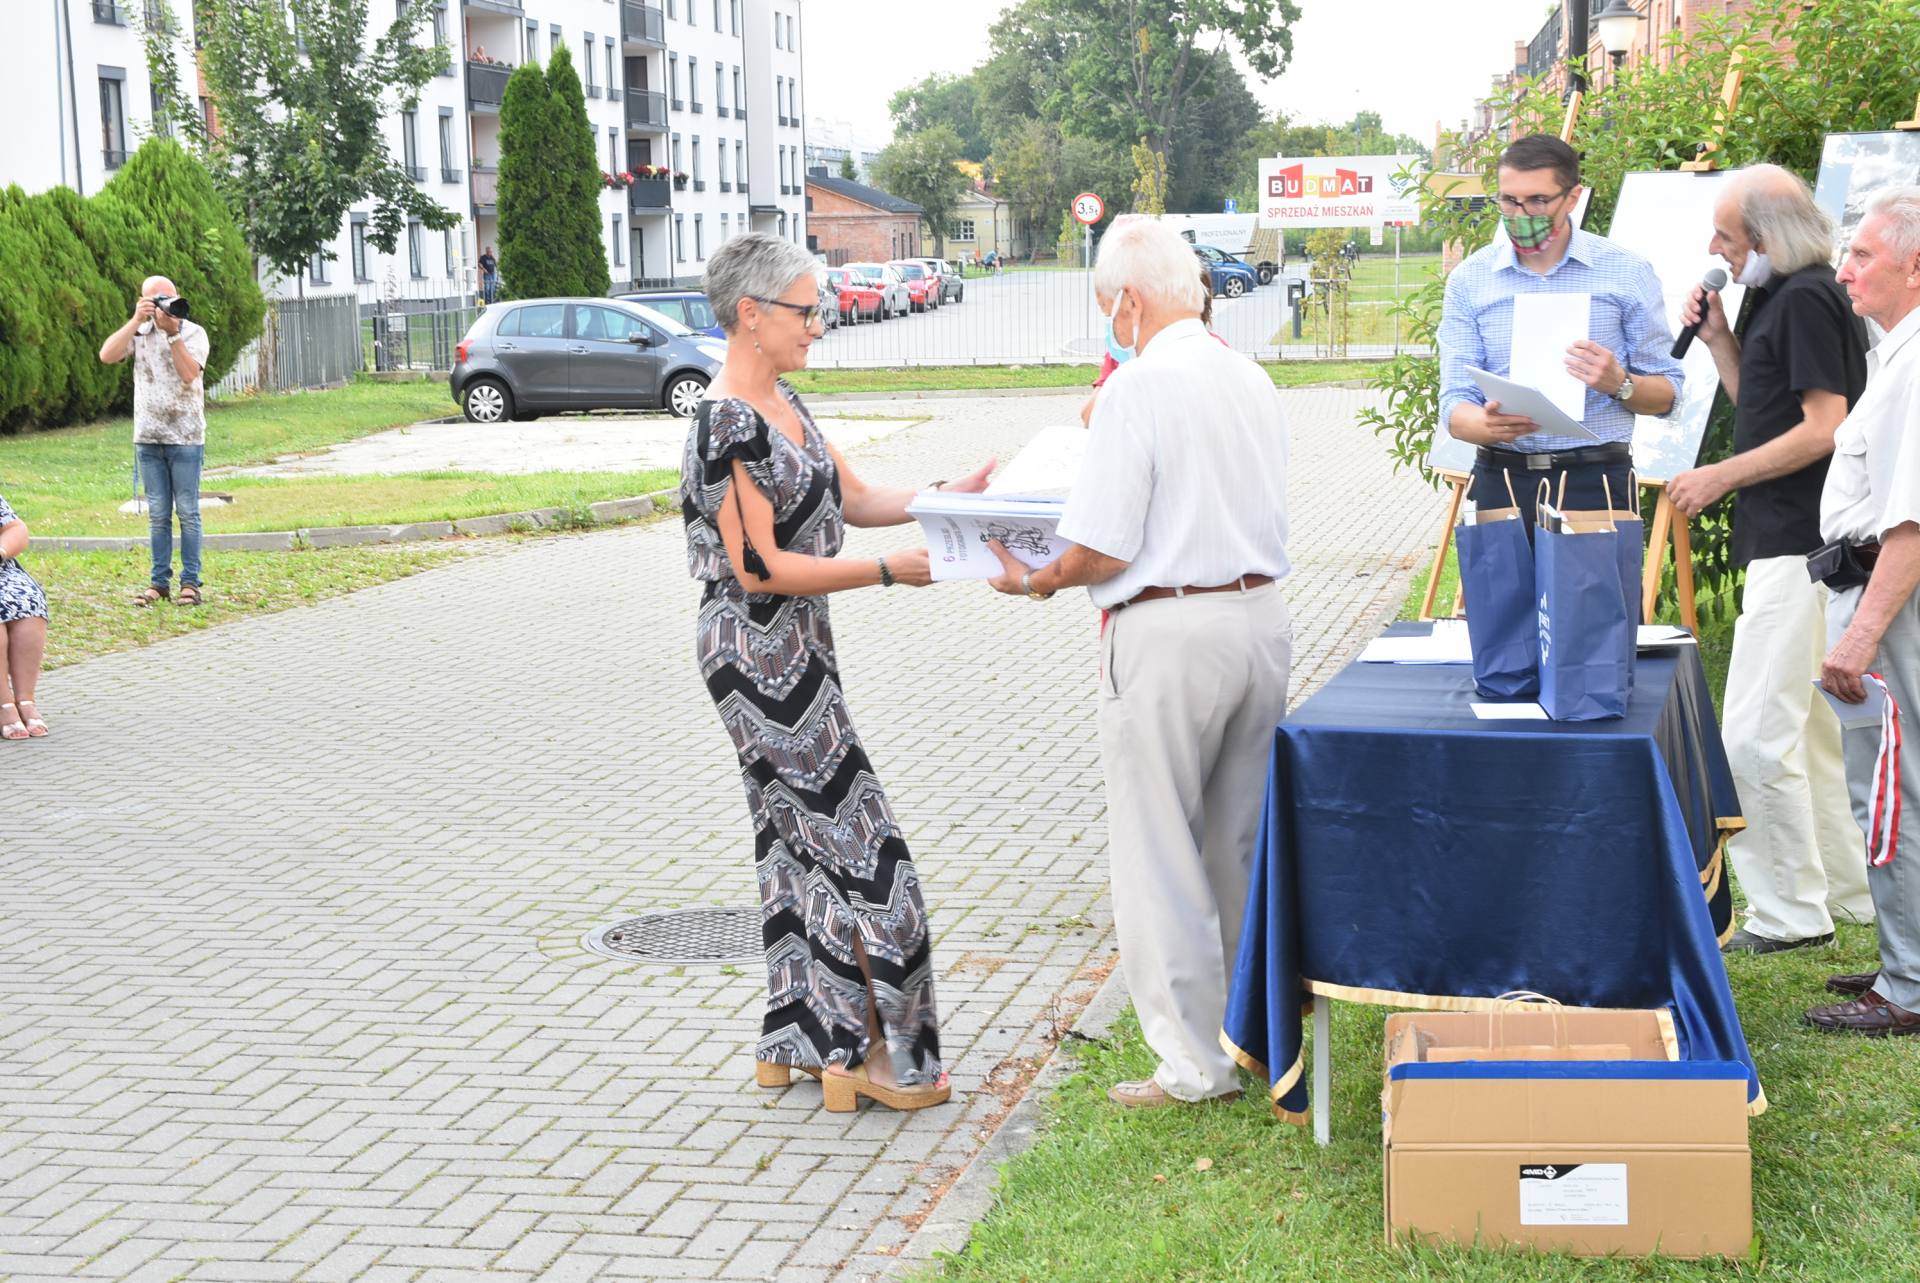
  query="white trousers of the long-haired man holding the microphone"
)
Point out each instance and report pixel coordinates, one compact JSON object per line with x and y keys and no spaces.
{"x":1802,"y":859}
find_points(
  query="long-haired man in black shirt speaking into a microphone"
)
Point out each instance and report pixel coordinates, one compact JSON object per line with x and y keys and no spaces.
{"x":1794,"y":374}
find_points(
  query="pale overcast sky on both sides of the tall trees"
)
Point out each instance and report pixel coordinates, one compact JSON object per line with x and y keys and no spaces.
{"x":1416,"y":62}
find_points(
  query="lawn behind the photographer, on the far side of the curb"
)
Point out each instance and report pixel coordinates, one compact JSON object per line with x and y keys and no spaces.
{"x":72,"y":481}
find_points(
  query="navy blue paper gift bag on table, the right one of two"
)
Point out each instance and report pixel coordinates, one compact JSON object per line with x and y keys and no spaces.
{"x":1585,"y":621}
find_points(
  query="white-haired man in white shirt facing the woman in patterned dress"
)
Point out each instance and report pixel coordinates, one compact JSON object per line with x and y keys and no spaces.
{"x":1180,"y":533}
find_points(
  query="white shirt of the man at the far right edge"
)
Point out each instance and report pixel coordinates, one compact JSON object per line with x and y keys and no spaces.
{"x":1873,"y":485}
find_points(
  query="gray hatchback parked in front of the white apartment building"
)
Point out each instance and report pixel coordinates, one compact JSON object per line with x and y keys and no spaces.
{"x":540,"y":356}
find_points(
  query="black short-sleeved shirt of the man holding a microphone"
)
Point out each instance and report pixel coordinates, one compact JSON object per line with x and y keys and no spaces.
{"x":1802,"y":337}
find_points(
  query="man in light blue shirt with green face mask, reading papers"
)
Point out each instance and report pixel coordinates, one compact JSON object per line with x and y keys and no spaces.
{"x":1625,"y":362}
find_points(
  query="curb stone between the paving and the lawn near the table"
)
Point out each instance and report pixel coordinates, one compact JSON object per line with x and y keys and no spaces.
{"x":971,"y":1198}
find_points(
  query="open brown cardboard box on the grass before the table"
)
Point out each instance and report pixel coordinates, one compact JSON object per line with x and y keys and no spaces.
{"x":1573,"y":1155}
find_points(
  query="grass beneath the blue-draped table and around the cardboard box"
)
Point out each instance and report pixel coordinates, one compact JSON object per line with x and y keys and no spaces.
{"x":1226,"y":1194}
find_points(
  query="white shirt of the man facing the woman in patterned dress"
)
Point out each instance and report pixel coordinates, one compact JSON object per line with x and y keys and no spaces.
{"x":1186,"y":473}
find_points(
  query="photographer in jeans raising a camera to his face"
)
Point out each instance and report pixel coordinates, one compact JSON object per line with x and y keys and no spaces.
{"x":170,"y":427}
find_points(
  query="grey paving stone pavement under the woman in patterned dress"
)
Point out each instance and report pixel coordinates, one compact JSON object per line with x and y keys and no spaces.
{"x":291,"y":969}
